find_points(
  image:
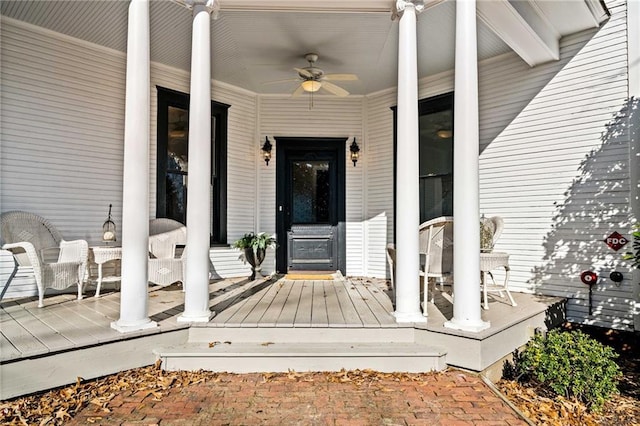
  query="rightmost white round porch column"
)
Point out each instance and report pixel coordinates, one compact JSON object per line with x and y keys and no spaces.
{"x":466,"y":198}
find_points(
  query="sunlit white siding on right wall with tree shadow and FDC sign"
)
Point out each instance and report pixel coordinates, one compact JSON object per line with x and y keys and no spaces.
{"x":554,"y":164}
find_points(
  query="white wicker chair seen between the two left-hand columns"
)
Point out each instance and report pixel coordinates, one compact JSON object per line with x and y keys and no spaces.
{"x":167,"y":255}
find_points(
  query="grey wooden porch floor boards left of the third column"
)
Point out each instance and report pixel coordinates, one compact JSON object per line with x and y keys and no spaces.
{"x":67,"y":324}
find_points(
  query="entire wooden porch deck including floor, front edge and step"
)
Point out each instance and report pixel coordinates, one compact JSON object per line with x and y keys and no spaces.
{"x":71,"y":338}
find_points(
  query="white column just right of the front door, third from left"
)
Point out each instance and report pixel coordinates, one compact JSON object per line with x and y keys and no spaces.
{"x":407,"y":177}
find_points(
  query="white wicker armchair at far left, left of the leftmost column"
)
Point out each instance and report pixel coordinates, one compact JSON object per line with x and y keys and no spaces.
{"x":30,"y":237}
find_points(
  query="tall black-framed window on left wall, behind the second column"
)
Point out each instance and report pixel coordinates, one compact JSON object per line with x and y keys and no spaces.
{"x":173,"y":161}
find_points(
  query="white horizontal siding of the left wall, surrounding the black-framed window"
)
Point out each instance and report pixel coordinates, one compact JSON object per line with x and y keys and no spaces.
{"x":62,"y":138}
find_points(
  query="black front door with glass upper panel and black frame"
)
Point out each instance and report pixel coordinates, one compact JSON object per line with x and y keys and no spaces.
{"x":310,"y":204}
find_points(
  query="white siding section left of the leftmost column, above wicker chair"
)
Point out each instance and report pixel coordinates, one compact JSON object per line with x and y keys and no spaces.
{"x":62,"y":126}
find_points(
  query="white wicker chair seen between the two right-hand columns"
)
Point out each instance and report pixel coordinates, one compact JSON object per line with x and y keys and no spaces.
{"x":436,"y":244}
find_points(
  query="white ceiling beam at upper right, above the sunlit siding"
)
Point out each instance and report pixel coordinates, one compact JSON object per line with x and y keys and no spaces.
{"x":523,"y":27}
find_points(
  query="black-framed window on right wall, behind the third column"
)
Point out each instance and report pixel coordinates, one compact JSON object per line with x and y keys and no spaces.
{"x":436,"y":156}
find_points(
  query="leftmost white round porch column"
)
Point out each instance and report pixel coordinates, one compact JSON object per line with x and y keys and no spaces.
{"x":134,"y":311}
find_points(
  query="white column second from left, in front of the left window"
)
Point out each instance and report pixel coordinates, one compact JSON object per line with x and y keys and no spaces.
{"x":196,"y":299}
